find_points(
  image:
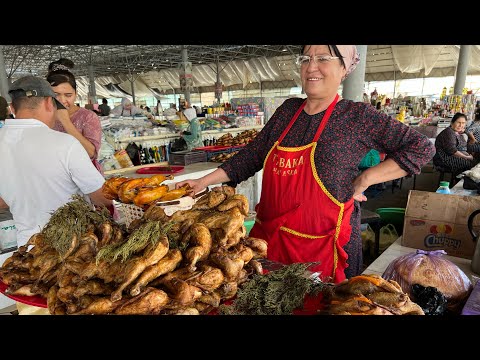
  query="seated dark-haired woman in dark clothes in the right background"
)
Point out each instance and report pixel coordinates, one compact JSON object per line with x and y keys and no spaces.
{"x":454,"y":154}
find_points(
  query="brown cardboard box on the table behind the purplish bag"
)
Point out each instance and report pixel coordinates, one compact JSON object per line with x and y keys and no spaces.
{"x":439,"y":221}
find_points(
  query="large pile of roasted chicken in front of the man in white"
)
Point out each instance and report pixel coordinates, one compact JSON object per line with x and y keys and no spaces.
{"x":211,"y":258}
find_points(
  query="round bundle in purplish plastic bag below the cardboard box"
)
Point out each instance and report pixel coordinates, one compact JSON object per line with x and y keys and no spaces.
{"x":429,"y":268}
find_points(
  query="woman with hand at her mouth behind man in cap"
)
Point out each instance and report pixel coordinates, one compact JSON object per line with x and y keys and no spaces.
{"x":81,"y":123}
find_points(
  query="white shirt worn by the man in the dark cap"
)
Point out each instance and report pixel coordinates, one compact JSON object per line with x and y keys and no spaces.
{"x":40,"y":170}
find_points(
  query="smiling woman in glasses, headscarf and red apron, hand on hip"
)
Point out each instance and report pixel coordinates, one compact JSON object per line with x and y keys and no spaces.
{"x":309,"y":151}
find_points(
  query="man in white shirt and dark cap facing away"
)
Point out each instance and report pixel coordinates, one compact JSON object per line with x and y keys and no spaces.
{"x":41,"y":168}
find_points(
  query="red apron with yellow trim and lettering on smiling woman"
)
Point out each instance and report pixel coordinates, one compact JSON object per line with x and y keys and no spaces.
{"x":296,"y":215}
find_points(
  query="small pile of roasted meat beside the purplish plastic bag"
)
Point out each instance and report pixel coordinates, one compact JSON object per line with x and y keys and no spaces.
{"x":369,"y":295}
